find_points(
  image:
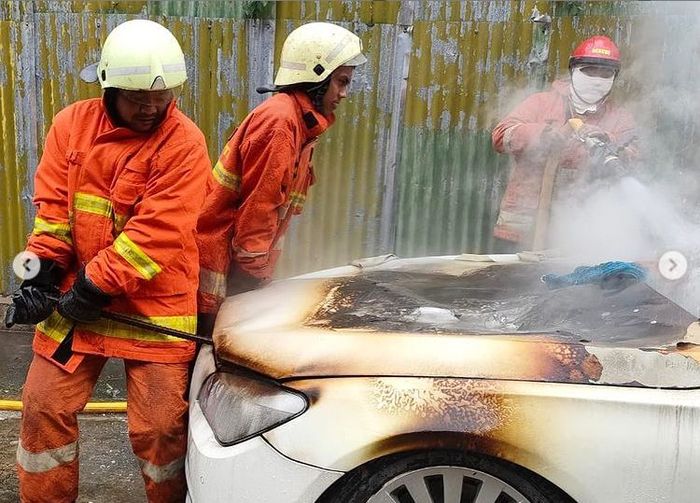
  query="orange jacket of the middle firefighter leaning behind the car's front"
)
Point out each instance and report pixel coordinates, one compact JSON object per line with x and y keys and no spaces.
{"x":260,"y":180}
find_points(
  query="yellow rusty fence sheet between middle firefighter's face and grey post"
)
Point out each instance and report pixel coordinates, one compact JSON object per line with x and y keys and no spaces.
{"x":343,"y":214}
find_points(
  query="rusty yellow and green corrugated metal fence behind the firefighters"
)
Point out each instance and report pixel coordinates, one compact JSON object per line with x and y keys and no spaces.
{"x":407,"y":168}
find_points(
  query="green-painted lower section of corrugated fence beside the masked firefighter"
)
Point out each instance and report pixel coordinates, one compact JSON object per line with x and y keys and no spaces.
{"x":448,"y":193}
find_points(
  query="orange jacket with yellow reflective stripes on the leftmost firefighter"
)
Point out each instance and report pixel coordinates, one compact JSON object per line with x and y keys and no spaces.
{"x":124,"y":205}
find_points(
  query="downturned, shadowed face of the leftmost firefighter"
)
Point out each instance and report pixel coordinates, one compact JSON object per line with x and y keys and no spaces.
{"x":142,"y":111}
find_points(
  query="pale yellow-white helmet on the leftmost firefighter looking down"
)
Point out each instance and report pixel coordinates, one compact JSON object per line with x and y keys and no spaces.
{"x":139,"y":55}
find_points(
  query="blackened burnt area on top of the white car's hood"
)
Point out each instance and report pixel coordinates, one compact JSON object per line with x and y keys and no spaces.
{"x":500,"y":299}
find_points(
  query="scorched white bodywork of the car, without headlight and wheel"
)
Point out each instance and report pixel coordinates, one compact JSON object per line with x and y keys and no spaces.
{"x":603,"y":420}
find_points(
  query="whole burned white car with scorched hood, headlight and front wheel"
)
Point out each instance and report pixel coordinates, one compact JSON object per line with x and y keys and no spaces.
{"x":447,"y":379}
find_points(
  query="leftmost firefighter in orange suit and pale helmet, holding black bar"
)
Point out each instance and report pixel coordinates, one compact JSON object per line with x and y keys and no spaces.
{"x":118,"y":190}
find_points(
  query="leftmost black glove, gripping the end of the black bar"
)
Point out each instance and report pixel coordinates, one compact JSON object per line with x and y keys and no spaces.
{"x":36,"y":298}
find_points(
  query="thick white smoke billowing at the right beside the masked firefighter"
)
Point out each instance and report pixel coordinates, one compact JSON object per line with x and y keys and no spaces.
{"x":657,"y":209}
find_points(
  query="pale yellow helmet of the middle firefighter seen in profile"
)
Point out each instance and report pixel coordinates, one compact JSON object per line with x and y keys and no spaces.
{"x":314,"y":50}
